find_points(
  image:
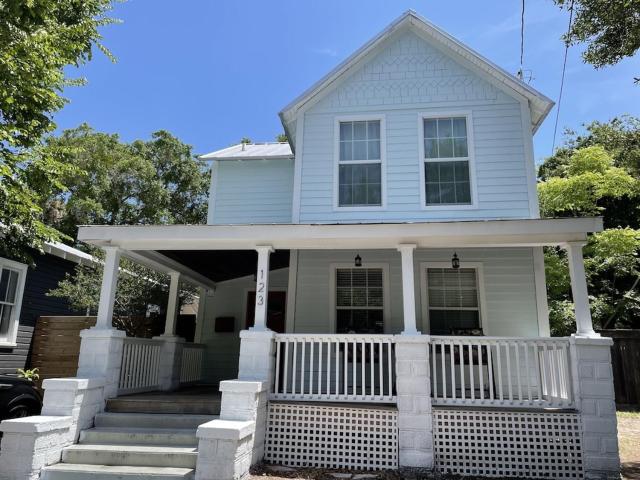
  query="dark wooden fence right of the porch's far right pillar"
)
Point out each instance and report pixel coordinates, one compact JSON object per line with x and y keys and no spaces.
{"x":625,"y":358}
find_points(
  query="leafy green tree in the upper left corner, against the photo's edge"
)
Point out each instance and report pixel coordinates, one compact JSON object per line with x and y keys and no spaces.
{"x":38,"y":39}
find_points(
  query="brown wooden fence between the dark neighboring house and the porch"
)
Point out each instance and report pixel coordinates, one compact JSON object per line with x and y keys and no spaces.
{"x":55,"y":346}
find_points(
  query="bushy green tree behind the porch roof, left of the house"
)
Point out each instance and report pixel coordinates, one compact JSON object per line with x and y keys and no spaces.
{"x":158,"y":181}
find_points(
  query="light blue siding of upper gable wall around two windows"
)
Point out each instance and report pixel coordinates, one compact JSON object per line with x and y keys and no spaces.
{"x":407,"y":78}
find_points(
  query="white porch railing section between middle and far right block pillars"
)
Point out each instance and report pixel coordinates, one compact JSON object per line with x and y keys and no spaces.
{"x":493,"y":371}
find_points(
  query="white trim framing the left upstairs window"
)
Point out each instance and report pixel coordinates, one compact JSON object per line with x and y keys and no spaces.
{"x":383,"y":162}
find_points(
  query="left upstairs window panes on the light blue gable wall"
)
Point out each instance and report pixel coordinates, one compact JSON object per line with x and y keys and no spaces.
{"x":360,"y":164}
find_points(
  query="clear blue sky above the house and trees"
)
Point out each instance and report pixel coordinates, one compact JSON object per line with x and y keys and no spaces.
{"x":212,"y":72}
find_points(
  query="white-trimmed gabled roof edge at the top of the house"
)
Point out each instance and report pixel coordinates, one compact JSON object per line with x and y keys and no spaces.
{"x":539,"y":104}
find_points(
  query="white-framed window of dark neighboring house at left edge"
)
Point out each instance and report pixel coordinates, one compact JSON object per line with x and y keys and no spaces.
{"x":12,"y":277}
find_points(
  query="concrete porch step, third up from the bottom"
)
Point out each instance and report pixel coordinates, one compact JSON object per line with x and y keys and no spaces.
{"x":139,"y":436}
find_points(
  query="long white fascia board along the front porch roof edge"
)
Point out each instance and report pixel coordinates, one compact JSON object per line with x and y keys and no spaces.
{"x":488,"y":233}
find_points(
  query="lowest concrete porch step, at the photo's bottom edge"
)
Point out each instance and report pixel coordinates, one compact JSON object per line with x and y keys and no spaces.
{"x":68,"y":471}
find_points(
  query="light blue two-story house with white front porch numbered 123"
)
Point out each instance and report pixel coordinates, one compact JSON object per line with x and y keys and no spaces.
{"x":375,"y":286}
